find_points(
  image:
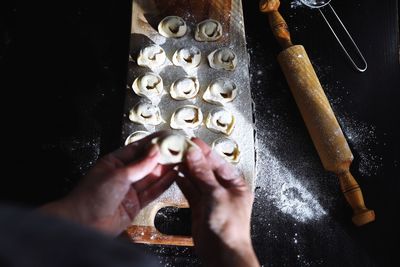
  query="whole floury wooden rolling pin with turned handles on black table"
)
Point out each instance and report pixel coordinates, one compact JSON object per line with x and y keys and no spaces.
{"x":317,"y":113}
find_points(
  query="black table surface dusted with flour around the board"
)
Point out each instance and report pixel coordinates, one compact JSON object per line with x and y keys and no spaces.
{"x":68,"y":84}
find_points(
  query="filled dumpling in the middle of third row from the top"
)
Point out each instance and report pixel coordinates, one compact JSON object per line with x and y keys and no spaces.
{"x":184,"y":88}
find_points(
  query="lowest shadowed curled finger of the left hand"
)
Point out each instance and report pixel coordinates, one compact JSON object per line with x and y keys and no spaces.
{"x":157,"y":188}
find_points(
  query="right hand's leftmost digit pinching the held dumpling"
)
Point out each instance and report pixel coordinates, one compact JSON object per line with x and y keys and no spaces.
{"x":199,"y":171}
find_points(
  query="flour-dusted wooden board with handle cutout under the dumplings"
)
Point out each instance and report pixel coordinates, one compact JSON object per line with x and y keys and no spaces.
{"x":145,"y":18}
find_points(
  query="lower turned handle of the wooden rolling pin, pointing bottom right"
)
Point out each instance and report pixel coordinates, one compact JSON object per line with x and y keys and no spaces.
{"x":353,"y":195}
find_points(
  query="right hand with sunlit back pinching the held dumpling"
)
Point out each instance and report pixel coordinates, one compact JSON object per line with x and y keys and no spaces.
{"x":221,"y":204}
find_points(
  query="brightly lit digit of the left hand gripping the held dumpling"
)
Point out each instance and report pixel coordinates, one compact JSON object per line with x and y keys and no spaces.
{"x":143,"y":167}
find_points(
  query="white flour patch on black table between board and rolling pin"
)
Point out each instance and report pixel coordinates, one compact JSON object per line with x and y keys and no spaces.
{"x":281,"y":186}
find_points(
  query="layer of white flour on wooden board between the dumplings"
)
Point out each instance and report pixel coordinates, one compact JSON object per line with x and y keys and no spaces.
{"x":241,"y":107}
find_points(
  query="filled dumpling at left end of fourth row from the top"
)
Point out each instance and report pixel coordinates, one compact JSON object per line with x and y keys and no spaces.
{"x":146,"y":114}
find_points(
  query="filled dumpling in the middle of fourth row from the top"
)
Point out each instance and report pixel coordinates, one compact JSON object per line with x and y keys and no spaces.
{"x":186,"y":117}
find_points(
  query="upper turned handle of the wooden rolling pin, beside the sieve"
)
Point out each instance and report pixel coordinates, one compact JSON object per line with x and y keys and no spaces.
{"x":278,"y":25}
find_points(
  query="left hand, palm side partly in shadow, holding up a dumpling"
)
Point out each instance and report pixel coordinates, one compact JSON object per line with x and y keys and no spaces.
{"x":116,"y":188}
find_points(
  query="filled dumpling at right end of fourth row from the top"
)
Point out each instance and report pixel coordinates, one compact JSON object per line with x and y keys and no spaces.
{"x":220,"y":120}
